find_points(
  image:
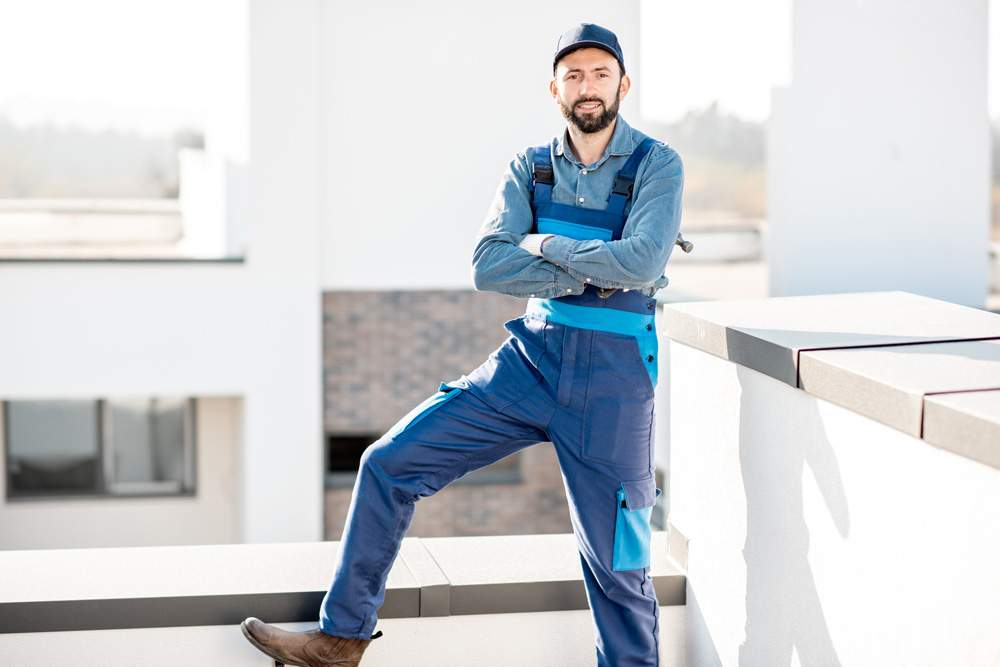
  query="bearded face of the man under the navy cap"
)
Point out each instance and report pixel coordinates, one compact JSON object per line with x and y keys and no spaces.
{"x":588,"y":87}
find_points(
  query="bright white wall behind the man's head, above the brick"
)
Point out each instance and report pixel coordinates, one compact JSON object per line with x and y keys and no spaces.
{"x":425,"y":105}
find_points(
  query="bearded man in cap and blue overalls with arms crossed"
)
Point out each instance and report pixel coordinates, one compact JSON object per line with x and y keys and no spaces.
{"x":583,"y":227}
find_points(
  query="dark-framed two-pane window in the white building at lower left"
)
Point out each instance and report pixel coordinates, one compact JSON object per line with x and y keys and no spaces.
{"x":106,"y":447}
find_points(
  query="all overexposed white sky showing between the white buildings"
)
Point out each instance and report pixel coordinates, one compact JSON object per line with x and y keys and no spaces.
{"x":70,"y":62}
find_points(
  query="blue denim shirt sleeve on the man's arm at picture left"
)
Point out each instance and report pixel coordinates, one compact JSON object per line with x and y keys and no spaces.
{"x":498,"y":264}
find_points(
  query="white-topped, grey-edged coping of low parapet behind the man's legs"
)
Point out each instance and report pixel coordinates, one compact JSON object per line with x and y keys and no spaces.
{"x":117,"y":588}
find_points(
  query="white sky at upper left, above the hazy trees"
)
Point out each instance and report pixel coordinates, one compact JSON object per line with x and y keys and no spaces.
{"x":72,"y":63}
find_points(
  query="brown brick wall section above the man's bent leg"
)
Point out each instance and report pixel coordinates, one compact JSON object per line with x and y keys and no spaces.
{"x":385,"y":351}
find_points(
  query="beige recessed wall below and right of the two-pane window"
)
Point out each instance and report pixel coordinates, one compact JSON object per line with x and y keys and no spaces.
{"x":211,"y":516}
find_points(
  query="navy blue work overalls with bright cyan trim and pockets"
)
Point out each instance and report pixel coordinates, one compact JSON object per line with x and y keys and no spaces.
{"x":578,"y":371}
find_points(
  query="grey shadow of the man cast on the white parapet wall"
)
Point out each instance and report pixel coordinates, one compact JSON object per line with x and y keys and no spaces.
{"x":783,"y":608}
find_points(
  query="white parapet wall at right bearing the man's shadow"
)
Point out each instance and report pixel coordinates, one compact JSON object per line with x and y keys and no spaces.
{"x":816,"y":531}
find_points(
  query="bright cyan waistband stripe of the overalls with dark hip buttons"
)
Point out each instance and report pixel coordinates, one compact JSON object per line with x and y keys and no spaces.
{"x":603,"y":319}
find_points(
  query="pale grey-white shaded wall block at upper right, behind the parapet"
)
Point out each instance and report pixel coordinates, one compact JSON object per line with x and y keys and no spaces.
{"x":878,"y":157}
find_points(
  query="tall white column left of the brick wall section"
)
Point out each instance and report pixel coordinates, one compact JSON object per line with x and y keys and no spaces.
{"x":282,"y":482}
